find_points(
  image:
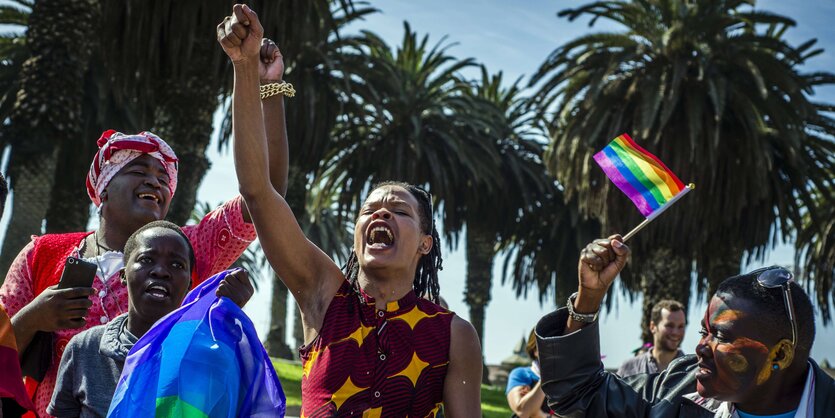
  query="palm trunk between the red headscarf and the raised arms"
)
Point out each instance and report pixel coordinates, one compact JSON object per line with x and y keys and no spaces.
{"x":183,"y":118}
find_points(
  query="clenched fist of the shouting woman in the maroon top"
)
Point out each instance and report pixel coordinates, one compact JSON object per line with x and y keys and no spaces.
{"x":240,"y":34}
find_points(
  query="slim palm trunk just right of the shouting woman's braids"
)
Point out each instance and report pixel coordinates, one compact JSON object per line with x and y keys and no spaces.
{"x":481,"y":244}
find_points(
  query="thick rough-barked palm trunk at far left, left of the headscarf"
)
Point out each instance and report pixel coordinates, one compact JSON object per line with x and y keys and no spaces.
{"x":47,"y":111}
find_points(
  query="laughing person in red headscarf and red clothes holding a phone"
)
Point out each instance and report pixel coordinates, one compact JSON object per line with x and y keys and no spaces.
{"x":131,"y":181}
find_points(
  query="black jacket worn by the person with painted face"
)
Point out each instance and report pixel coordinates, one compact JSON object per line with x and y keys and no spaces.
{"x":576,"y":384}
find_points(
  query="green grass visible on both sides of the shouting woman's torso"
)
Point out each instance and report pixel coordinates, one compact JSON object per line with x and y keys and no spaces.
{"x":493,"y":401}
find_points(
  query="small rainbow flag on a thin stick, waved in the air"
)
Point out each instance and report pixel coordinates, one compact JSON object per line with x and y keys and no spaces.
{"x":640,"y":175}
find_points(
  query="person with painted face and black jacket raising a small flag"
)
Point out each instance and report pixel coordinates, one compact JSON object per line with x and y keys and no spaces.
{"x":752,"y":360}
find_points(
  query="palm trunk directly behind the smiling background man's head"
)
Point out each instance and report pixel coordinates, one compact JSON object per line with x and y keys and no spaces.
{"x":665,"y":277}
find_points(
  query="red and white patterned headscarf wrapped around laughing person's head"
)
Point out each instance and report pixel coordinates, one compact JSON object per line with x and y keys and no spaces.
{"x":116,"y":150}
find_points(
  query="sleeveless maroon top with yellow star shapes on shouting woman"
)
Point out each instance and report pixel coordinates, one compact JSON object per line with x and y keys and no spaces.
{"x":377,"y":363}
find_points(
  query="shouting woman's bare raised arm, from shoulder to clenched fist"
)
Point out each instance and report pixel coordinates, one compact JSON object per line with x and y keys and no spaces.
{"x":311,"y":276}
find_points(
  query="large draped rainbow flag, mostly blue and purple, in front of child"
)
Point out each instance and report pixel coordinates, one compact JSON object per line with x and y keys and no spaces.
{"x":202,"y":360}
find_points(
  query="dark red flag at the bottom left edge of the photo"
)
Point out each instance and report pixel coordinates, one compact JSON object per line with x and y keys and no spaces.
{"x":11,"y":378}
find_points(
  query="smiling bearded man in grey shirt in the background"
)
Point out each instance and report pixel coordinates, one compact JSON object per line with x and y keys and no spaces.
{"x":667,"y":322}
